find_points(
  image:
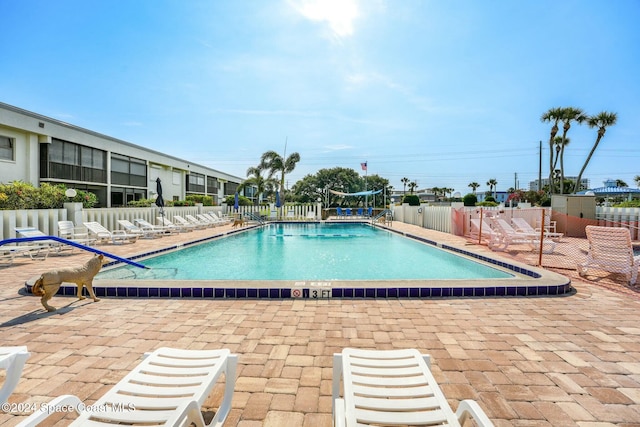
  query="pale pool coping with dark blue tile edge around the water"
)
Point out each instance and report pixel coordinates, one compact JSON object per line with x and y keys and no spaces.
{"x":524,"y":283}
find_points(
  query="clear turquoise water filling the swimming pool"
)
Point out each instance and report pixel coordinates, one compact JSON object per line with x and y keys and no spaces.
{"x":314,"y":251}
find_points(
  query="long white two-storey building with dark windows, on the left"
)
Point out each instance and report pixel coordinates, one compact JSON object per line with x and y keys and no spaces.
{"x":37,"y":149}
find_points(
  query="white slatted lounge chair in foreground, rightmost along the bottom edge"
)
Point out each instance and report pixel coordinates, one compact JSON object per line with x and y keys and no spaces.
{"x":393,"y":387}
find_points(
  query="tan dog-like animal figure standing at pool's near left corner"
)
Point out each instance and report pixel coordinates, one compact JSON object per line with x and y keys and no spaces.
{"x":48,"y":284}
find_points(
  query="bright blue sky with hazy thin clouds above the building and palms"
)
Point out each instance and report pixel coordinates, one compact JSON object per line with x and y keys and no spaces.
{"x":444,"y":93}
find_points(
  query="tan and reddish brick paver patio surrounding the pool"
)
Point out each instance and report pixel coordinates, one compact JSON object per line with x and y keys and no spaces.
{"x":535,"y":361}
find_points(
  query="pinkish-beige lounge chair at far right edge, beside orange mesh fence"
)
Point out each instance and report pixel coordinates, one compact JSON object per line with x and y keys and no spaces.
{"x":610,"y":249}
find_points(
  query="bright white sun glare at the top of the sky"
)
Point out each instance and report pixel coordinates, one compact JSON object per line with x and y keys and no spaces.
{"x":339,"y":15}
